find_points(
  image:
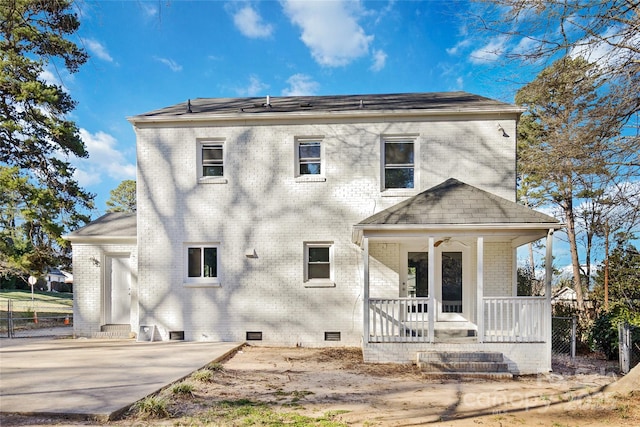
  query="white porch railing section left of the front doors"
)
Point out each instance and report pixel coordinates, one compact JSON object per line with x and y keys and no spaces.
{"x":398,"y":320}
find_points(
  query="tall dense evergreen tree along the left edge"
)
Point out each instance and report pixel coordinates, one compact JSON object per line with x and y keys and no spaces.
{"x":42,"y":199}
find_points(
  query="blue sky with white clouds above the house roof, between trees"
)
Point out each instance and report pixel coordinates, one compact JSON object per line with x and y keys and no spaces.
{"x":146,"y":55}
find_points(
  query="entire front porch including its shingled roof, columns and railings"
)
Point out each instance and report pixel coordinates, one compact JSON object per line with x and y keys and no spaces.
{"x":439,"y":273}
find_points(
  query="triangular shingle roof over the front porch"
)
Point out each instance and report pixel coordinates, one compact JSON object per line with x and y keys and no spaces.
{"x":453,"y":203}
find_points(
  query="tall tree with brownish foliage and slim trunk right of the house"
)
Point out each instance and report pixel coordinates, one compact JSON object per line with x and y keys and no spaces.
{"x":568,"y":148}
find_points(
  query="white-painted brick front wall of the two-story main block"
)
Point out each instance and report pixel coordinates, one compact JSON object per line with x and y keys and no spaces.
{"x":263,"y":208}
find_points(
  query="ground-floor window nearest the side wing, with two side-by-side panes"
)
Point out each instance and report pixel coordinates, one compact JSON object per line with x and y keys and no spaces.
{"x":202,"y":264}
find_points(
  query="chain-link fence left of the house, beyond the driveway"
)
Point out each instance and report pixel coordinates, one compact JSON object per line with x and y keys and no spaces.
{"x":24,"y":319}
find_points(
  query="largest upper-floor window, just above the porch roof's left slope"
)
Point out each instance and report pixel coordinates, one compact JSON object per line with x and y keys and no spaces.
{"x":399,"y":162}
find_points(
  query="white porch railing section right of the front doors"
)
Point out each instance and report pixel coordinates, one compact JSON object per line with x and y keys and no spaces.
{"x":515,"y":319}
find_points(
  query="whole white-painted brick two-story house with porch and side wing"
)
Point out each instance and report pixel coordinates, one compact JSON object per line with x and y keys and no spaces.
{"x":383,"y":221}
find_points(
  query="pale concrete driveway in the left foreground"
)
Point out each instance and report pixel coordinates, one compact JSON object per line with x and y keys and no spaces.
{"x":94,"y":379}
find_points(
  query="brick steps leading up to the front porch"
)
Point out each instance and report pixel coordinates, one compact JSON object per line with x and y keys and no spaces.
{"x":463,"y":364}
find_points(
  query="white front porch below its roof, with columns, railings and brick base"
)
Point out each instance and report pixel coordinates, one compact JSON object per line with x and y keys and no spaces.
{"x":398,"y":329}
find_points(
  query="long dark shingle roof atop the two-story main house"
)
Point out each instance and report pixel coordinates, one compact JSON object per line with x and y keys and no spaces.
{"x":435,"y":101}
